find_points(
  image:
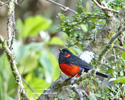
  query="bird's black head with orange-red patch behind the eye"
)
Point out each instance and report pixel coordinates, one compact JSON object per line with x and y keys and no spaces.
{"x":64,"y":54}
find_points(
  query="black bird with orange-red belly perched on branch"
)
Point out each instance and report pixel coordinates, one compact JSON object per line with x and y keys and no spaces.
{"x":72,"y":65}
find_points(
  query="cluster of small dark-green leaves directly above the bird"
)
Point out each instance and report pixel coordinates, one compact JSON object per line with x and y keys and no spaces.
{"x":81,"y":27}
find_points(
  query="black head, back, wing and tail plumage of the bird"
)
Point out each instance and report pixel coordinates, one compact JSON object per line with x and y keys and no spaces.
{"x":72,"y":59}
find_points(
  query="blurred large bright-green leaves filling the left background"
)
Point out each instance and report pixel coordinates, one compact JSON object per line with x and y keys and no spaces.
{"x":35,"y":60}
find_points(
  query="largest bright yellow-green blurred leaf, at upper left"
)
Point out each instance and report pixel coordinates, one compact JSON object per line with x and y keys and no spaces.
{"x":33,"y":25}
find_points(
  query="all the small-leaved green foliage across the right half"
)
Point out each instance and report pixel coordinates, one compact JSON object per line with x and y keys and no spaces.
{"x":81,"y":28}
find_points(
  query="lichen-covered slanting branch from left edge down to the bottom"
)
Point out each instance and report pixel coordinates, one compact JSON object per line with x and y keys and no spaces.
{"x":21,"y":91}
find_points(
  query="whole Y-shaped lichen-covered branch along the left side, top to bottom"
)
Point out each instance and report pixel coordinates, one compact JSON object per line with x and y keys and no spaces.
{"x":21,"y":94}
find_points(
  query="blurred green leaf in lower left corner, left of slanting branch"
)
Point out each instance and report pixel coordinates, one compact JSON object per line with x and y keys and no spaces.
{"x":6,"y":78}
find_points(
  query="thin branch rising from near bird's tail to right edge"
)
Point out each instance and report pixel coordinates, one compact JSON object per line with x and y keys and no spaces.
{"x":107,"y":47}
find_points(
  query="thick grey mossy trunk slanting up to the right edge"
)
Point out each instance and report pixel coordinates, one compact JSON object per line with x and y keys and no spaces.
{"x":111,"y":27}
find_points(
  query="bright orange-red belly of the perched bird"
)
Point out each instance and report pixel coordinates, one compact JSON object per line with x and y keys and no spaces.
{"x":71,"y":70}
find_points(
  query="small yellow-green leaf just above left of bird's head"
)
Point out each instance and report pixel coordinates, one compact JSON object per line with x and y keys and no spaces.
{"x":56,"y":41}
